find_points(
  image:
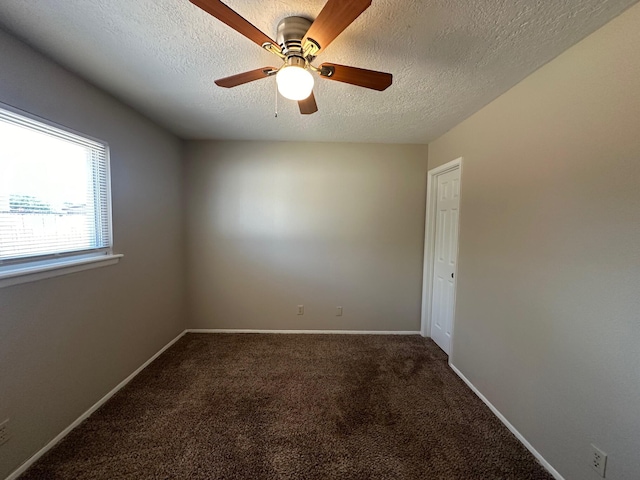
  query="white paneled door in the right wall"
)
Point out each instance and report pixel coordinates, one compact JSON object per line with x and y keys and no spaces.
{"x":444,"y":258}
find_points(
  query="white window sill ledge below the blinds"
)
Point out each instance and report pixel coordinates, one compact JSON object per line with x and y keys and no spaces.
{"x":55,"y":268}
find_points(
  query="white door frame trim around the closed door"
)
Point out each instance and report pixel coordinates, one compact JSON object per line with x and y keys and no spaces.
{"x":429,"y":247}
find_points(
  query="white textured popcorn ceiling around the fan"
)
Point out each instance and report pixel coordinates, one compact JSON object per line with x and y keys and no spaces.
{"x":448,"y":58}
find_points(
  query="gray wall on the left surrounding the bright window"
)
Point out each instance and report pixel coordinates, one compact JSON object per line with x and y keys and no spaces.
{"x":67,"y":341}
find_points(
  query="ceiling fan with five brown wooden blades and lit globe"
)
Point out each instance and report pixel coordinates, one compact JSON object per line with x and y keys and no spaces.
{"x":299,"y":41}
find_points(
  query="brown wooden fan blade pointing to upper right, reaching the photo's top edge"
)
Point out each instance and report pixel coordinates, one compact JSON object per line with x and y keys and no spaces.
{"x":333,"y":19}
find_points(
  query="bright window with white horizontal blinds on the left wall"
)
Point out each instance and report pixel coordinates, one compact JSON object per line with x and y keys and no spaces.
{"x":54,"y":198}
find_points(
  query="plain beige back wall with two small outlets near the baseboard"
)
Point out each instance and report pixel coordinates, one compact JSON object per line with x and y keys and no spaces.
{"x":275,"y":225}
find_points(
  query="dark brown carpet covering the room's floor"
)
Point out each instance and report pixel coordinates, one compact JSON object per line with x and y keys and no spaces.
{"x":245,"y":406}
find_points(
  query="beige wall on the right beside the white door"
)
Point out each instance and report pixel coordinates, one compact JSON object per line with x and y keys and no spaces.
{"x":547,"y":323}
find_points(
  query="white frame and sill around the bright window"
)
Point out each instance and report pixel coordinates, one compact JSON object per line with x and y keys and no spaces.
{"x":37,"y":267}
